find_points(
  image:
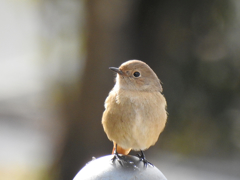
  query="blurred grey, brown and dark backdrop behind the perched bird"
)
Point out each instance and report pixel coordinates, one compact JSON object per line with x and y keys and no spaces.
{"x":54,"y":78}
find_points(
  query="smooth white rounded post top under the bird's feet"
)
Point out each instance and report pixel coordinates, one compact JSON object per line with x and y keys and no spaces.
{"x":106,"y":169}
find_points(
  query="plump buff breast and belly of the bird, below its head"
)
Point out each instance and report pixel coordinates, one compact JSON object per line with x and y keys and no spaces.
{"x":136,"y":117}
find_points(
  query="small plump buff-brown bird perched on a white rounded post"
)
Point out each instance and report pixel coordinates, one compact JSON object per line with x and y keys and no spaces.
{"x":135,"y":109}
